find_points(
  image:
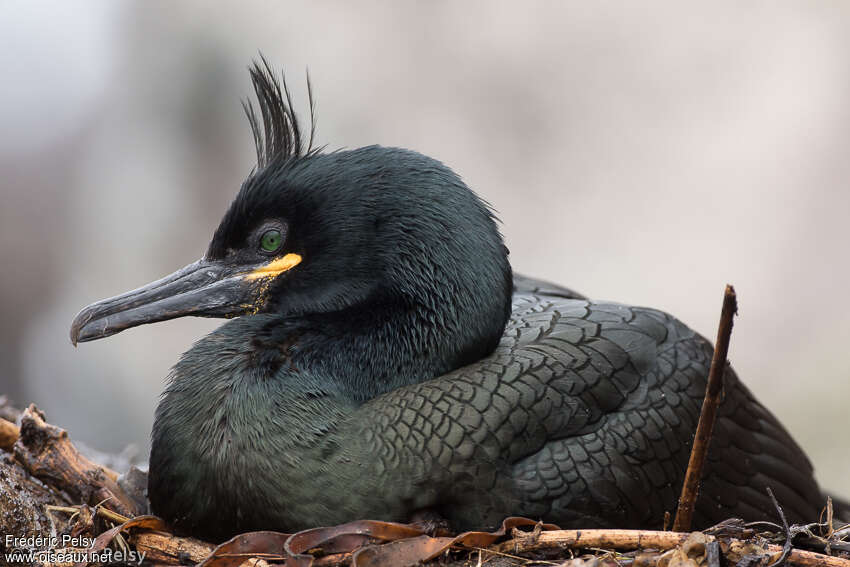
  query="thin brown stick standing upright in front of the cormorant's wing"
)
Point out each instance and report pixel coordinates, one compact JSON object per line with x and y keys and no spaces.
{"x":708,"y":414}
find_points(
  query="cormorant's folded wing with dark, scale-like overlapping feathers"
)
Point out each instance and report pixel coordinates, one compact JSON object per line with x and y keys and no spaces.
{"x":584,"y":415}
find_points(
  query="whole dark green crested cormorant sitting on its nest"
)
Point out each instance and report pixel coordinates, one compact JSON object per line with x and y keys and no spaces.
{"x":382,"y":361}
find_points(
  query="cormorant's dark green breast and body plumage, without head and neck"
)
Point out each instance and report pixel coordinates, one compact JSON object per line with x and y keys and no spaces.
{"x":582,"y":416}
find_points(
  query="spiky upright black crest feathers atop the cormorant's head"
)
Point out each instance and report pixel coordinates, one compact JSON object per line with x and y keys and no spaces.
{"x":277,"y":132}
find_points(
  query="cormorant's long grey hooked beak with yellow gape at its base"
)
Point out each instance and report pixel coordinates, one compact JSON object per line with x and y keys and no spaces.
{"x":203,"y":289}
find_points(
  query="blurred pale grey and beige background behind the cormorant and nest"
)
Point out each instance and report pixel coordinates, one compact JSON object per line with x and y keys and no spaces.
{"x":646,"y":154}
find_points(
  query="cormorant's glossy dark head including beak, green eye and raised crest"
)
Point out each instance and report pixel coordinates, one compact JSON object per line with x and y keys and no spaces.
{"x":316,"y":233}
